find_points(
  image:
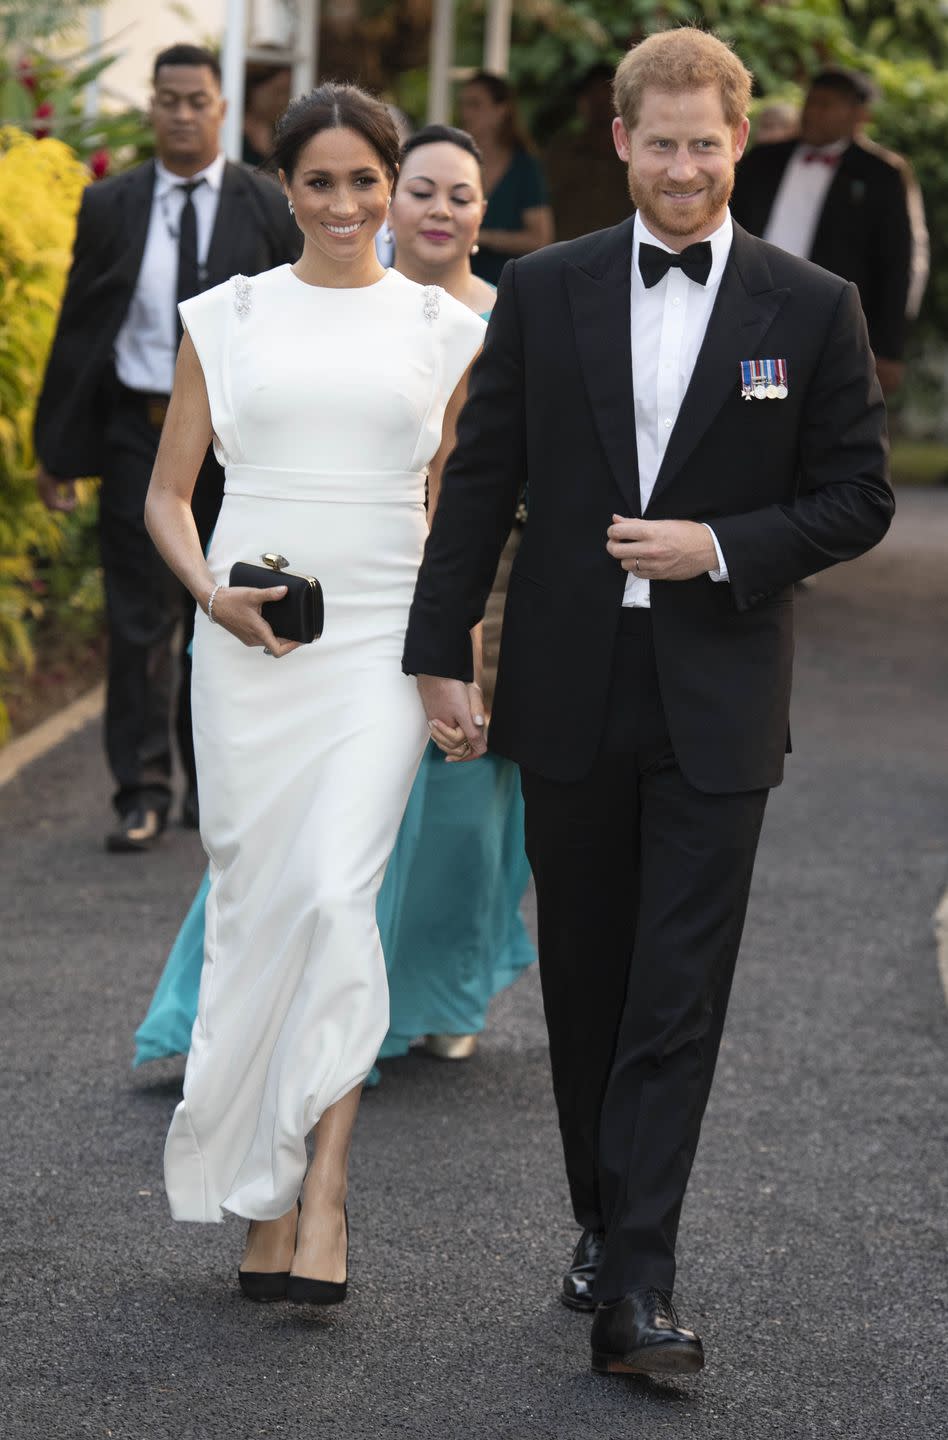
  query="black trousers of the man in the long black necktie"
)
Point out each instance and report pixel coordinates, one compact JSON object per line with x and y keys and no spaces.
{"x":145,"y":607}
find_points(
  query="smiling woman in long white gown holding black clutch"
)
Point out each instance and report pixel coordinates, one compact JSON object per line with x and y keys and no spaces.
{"x":331,"y":390}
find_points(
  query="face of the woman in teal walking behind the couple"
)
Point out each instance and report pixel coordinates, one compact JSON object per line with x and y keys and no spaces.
{"x":439,"y":205}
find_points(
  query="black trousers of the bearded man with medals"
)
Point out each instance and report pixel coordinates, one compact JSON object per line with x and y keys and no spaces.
{"x":642,"y":889}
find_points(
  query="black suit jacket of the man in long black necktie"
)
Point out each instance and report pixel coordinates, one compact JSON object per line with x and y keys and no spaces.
{"x":254,"y":231}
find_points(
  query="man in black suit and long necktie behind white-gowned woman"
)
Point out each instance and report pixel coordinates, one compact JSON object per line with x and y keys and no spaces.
{"x":145,"y":241}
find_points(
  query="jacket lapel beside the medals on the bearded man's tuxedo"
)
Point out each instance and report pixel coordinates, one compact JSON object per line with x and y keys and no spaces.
{"x":744,"y":312}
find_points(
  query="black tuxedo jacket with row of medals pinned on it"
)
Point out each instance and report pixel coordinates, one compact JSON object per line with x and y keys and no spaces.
{"x":789,"y":486}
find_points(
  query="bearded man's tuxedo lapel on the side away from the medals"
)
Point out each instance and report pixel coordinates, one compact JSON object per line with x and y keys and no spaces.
{"x":600,"y":300}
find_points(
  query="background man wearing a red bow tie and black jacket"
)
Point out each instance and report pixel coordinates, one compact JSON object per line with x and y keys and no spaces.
{"x":841,"y":202}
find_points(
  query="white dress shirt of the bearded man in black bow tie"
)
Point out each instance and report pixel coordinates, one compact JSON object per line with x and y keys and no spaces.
{"x":669,"y":325}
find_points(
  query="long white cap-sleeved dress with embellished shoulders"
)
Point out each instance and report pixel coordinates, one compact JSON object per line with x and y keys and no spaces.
{"x":326,"y":407}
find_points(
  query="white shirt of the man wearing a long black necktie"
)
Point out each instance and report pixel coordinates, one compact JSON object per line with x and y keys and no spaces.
{"x":146,"y":346}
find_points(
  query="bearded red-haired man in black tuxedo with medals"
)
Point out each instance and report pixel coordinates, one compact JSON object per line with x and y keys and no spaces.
{"x":699,"y":424}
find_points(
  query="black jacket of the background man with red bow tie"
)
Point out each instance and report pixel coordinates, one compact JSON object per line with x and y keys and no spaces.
{"x":864,"y":234}
